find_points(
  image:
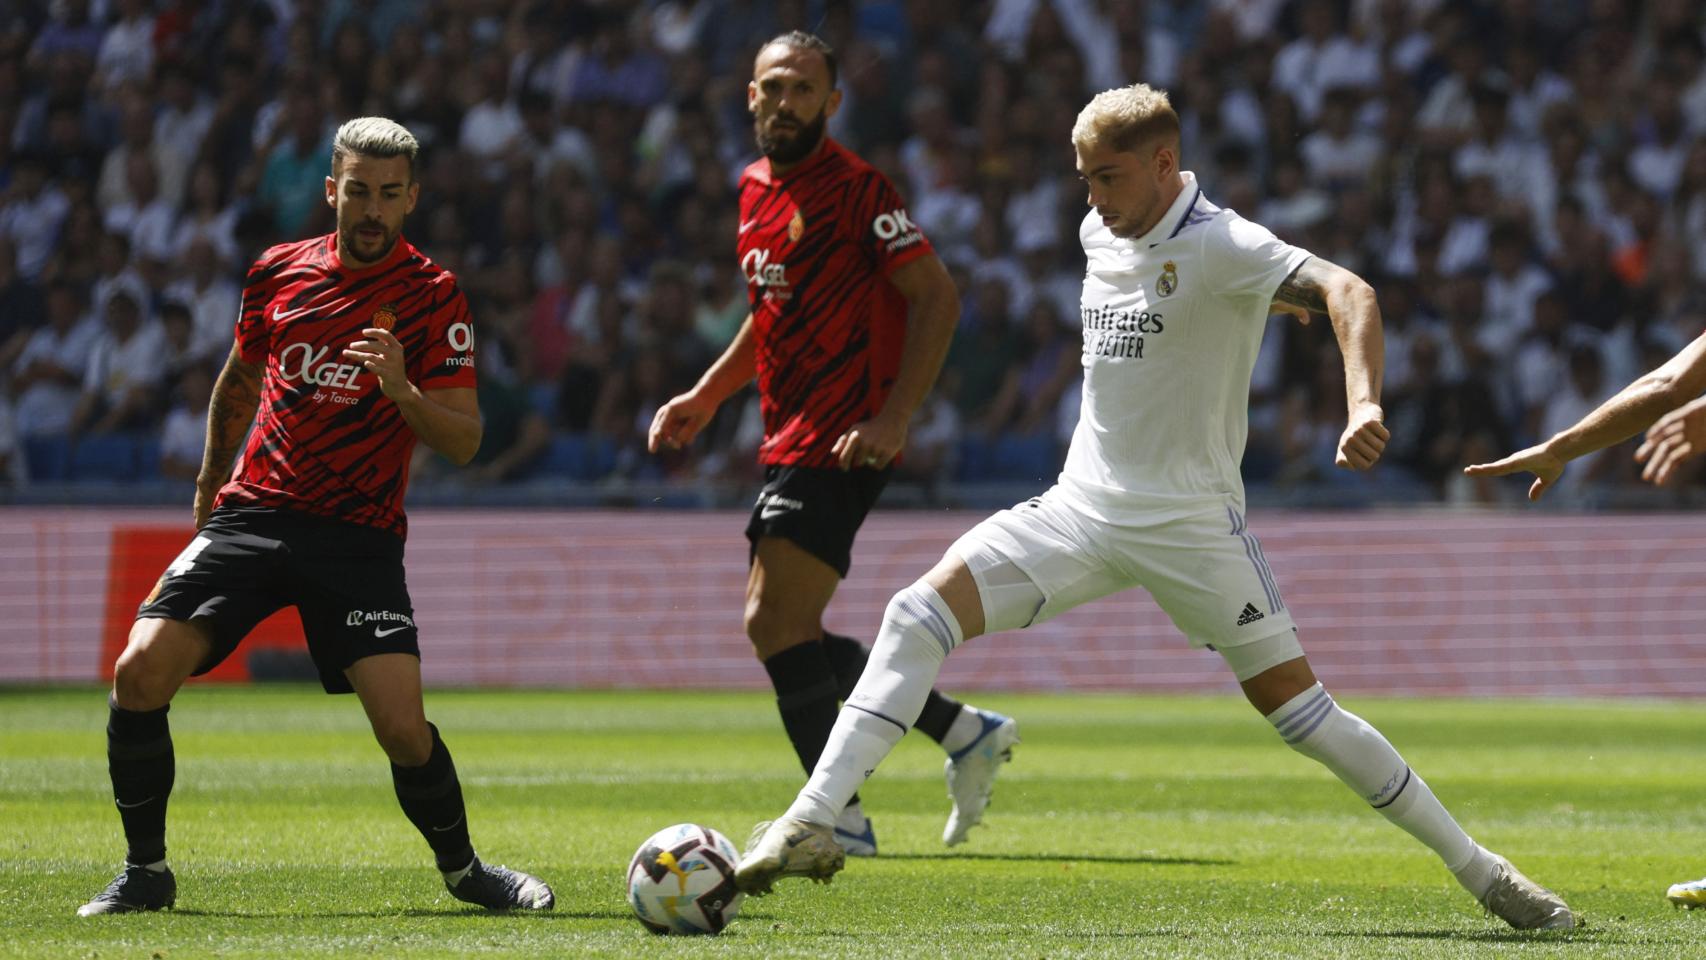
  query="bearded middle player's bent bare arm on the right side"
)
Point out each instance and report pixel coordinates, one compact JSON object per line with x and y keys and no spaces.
{"x":931,"y":320}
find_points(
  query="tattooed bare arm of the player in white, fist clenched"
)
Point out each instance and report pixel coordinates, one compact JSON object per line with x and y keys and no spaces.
{"x":1325,"y":287}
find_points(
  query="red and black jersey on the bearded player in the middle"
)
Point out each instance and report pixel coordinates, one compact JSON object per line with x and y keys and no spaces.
{"x":816,"y":248}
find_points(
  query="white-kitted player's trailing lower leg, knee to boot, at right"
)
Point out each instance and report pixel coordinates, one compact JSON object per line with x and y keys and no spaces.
{"x":1314,"y":726}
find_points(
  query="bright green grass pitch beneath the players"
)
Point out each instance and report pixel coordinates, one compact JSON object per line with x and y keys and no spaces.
{"x":1125,"y":828}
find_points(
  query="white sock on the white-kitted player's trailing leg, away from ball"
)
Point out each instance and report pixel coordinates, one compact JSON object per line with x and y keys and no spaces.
{"x":1367,"y":763}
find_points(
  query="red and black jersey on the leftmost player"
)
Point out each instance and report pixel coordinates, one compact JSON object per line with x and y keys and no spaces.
{"x":327,"y":439}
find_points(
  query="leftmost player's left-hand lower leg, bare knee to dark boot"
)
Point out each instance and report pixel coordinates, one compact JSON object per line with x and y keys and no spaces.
{"x":154,"y":666}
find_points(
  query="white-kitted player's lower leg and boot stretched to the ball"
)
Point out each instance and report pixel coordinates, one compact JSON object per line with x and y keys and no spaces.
{"x":919,"y":630}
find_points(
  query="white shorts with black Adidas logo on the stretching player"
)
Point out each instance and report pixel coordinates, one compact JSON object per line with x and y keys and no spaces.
{"x":1205,"y":570}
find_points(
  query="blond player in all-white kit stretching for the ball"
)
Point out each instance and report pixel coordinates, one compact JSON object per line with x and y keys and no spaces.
{"x":1176,"y":296}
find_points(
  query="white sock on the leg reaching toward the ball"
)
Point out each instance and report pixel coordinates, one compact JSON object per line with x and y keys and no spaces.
{"x":917,"y":635}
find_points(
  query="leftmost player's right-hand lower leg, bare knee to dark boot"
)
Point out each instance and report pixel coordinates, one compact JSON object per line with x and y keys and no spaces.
{"x":424,"y":775}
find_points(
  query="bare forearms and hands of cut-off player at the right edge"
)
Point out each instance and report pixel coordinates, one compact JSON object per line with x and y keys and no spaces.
{"x":1657,"y":396}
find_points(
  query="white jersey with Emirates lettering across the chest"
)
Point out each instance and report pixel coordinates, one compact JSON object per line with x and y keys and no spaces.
{"x":1173,"y":323}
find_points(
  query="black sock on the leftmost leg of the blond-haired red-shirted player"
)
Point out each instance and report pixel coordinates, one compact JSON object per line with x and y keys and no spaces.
{"x":142,"y":768}
